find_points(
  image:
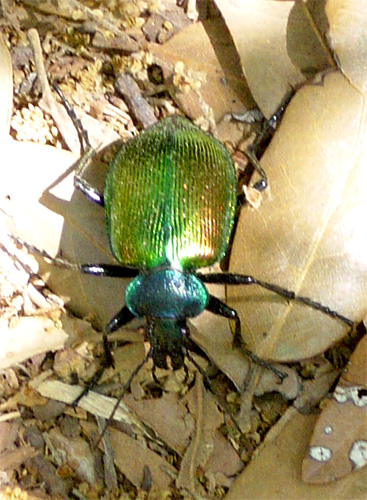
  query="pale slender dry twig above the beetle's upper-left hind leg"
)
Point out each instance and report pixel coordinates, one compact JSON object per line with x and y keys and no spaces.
{"x":48,"y":103}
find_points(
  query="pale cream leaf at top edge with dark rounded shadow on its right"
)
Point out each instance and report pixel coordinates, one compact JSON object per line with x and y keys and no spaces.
{"x":278,"y":44}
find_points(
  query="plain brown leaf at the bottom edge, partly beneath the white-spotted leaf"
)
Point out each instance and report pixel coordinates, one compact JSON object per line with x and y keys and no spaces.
{"x":275,"y":471}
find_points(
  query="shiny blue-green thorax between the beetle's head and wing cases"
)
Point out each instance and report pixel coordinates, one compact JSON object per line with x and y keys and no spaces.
{"x":166,"y":293}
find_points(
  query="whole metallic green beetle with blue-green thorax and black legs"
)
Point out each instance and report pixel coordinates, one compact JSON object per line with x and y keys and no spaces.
{"x":170,"y":201}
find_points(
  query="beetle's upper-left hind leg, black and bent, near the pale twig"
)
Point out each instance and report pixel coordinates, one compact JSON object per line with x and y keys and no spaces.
{"x":88,"y":153}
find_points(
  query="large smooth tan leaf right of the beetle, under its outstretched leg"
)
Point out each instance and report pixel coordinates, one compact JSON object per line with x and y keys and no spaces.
{"x":309,"y":235}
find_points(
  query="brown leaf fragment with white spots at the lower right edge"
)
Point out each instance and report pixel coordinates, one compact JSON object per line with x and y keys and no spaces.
{"x":339,"y":442}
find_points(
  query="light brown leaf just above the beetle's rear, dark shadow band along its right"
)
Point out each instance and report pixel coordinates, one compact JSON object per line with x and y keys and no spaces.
{"x":221,"y":84}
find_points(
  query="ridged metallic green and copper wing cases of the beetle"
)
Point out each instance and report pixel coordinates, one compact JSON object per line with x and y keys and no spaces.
{"x":170,"y":196}
